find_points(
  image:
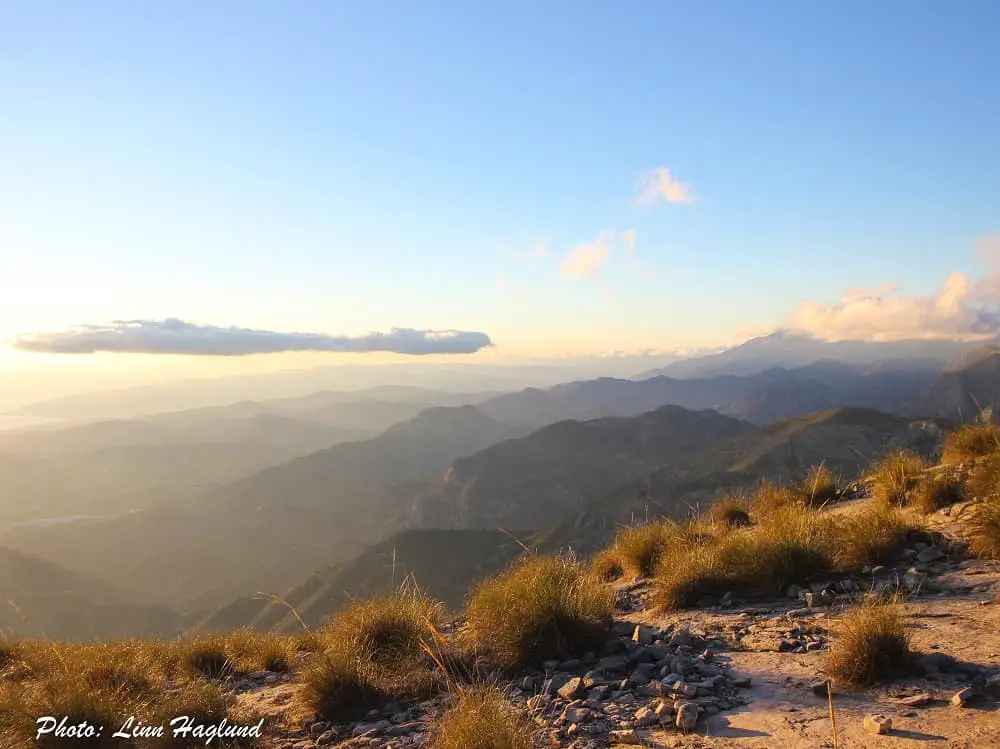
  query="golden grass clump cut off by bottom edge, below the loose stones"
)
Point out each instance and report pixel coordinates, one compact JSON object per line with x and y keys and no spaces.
{"x":482,"y":719}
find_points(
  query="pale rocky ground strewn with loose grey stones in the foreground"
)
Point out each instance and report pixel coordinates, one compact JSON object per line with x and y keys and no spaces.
{"x":739,"y":673}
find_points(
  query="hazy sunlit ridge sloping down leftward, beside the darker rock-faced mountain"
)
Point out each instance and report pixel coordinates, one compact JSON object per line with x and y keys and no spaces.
{"x":265,"y":531}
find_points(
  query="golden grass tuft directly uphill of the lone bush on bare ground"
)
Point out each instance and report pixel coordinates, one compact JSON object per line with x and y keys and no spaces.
{"x":872,"y":535}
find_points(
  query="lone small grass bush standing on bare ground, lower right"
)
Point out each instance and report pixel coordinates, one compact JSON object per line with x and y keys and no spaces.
{"x":870,"y":644}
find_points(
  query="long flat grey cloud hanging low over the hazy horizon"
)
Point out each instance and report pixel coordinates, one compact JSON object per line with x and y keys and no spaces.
{"x":179,"y":337}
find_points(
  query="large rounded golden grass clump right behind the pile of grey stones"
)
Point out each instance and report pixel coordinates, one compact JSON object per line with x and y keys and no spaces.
{"x":540,"y":607}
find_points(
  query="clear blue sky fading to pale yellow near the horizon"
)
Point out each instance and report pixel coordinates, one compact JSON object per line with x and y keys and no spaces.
{"x":335,"y":167}
